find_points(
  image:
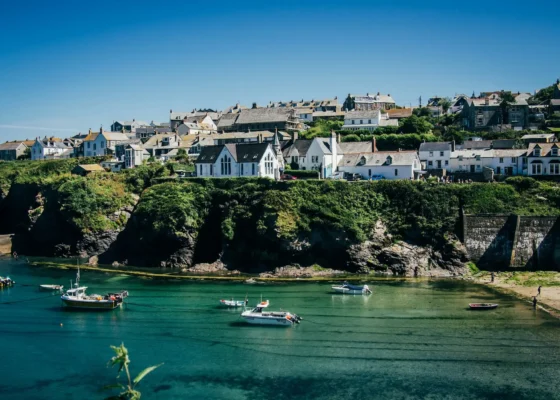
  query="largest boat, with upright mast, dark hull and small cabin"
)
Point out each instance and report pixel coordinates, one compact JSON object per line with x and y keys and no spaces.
{"x":76,"y":297}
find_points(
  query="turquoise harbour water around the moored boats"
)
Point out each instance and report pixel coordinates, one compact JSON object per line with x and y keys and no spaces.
{"x":409,"y":340}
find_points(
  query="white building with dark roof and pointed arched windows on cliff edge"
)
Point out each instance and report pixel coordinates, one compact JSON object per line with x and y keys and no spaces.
{"x":238,"y":160}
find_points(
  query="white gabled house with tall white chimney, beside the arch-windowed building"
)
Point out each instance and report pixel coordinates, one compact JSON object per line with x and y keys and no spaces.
{"x":319,"y":154}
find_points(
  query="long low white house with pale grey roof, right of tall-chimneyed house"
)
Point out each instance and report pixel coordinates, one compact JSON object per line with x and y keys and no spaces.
{"x":388,"y":164}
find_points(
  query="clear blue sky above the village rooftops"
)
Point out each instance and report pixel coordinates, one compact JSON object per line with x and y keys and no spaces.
{"x":69,"y":66}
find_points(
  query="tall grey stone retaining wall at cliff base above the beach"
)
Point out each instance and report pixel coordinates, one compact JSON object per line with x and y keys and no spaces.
{"x":498,"y":242}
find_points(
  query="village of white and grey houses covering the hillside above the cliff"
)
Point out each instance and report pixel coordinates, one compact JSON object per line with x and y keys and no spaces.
{"x":478,"y":138}
